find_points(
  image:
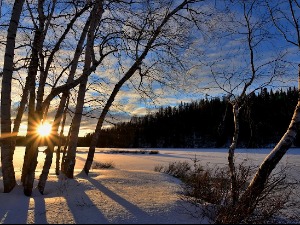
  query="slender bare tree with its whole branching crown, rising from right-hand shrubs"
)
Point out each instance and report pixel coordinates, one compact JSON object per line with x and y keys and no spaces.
{"x":239,"y":67}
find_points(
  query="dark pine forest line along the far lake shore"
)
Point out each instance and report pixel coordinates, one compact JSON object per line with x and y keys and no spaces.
{"x":206,"y":123}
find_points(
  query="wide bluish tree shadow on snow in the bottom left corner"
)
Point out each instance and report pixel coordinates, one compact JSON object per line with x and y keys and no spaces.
{"x":14,"y":207}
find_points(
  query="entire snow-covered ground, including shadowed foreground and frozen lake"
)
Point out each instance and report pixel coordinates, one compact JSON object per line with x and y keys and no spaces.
{"x":130,"y":193}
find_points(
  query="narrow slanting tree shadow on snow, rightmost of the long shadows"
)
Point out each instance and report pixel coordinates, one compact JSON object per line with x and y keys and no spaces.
{"x":139,"y":214}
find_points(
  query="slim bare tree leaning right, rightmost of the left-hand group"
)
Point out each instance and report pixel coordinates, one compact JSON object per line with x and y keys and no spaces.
{"x":146,"y":39}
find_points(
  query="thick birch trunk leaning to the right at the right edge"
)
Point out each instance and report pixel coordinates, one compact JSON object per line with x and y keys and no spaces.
{"x":247,"y":203}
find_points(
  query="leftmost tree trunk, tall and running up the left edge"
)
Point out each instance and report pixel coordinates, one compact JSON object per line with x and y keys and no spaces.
{"x":7,"y":152}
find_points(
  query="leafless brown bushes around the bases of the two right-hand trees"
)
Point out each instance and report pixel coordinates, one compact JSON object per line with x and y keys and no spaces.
{"x":209,"y":189}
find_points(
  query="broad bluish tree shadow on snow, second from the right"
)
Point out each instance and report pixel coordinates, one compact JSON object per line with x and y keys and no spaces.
{"x":83,"y":209}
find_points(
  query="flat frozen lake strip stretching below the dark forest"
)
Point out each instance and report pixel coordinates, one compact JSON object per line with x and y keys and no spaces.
{"x":211,"y":156}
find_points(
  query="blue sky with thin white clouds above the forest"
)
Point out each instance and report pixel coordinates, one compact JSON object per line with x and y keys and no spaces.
{"x":218,"y":49}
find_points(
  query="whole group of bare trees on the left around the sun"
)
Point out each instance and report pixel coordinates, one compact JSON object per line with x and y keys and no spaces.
{"x":146,"y":38}
